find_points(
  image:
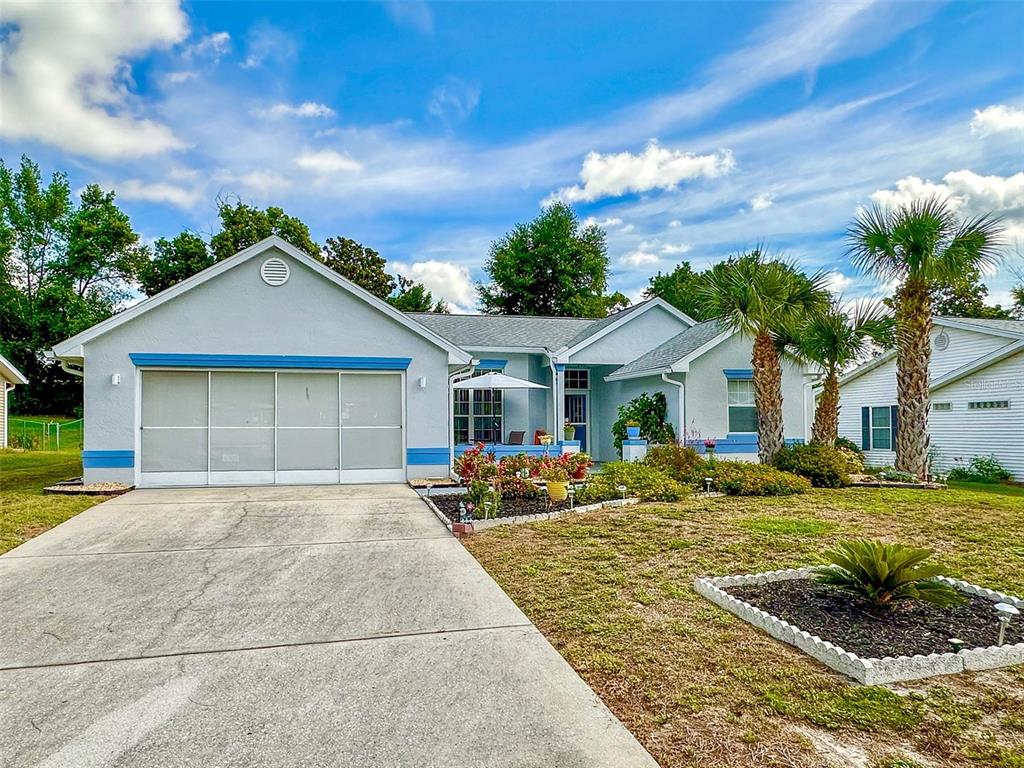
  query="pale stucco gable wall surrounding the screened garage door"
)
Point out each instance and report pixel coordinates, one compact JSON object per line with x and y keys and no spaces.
{"x":238,"y":314}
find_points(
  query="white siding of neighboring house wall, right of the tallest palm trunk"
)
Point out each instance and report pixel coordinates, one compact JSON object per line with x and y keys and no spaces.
{"x":960,"y":435}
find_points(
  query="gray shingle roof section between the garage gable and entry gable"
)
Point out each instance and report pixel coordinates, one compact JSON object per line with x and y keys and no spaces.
{"x":506,"y":330}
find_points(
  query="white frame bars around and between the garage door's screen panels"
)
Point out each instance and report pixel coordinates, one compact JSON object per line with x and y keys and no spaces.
{"x":276,"y":477}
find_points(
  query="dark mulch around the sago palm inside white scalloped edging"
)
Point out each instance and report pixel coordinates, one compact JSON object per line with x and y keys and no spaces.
{"x":859,"y":627}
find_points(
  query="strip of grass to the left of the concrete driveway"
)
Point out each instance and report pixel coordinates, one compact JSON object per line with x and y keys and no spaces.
{"x":25,"y":513}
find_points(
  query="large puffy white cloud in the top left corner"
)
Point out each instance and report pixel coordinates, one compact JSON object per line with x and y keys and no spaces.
{"x":66,"y":79}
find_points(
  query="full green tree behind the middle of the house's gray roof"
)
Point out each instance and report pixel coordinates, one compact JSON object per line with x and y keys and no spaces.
{"x":551,"y":266}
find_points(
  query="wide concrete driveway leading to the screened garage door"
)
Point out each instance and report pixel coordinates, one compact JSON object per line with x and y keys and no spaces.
{"x":329,"y":626}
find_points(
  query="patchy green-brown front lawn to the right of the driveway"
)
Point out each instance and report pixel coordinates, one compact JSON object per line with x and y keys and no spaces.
{"x":613,"y":591}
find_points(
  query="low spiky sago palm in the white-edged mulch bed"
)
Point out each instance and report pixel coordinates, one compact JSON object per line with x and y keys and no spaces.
{"x":886,"y":574}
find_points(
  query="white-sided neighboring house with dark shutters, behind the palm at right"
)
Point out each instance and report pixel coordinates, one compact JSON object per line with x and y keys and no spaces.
{"x":977,"y":391}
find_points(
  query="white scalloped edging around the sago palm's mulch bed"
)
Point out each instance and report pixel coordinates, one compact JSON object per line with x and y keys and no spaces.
{"x":868,"y":671}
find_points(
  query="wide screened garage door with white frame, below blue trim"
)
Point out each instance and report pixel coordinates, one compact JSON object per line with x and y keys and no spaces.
{"x":258,"y":428}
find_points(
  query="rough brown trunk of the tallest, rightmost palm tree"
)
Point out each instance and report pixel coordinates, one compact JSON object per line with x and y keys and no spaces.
{"x":914,"y":352}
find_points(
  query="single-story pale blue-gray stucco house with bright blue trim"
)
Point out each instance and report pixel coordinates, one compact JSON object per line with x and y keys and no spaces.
{"x":269,"y":368}
